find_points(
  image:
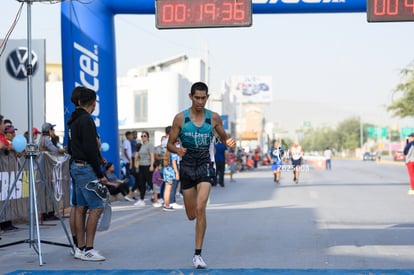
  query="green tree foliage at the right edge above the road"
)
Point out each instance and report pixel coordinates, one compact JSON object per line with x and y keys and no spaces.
{"x":403,"y":106}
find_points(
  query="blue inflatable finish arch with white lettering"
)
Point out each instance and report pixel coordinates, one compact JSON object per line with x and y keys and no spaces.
{"x":88,"y":49}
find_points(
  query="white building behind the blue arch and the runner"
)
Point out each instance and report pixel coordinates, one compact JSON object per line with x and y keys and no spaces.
{"x":148,"y":96}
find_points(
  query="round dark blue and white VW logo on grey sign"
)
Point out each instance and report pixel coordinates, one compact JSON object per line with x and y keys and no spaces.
{"x":17,"y":61}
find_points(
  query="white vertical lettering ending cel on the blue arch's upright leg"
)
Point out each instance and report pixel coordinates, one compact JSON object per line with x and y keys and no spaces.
{"x":88,"y":74}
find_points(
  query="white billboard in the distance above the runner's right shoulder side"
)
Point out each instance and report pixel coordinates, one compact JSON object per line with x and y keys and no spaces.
{"x":252,"y":89}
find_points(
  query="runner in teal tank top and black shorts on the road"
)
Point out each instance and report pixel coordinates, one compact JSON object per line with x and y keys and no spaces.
{"x":194,"y":127}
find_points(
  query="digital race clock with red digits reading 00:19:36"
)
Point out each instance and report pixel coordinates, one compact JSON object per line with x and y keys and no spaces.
{"x":175,"y":14}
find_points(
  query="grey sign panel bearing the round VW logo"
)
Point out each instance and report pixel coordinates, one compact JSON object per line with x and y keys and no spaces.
{"x":14,"y":85}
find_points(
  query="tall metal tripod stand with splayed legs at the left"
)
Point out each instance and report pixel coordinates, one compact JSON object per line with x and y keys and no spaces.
{"x":32,"y":151}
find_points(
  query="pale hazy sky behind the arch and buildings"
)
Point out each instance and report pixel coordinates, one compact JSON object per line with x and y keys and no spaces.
{"x":335,"y":59}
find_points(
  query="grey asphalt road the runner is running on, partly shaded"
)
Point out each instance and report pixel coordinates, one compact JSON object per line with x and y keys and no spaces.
{"x":356,"y":216}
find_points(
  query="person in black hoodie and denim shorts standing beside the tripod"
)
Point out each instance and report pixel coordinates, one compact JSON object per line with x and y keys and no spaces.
{"x":85,"y":168}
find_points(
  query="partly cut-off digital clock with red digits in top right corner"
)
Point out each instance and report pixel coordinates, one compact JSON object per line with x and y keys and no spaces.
{"x":390,"y":10}
